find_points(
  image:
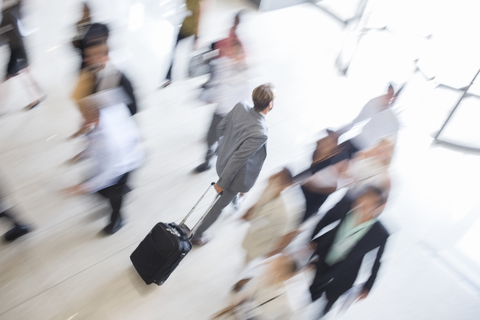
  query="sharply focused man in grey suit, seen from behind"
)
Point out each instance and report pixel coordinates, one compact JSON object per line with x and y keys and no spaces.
{"x":243,"y":134}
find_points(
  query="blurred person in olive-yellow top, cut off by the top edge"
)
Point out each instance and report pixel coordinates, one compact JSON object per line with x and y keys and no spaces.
{"x":188,"y":28}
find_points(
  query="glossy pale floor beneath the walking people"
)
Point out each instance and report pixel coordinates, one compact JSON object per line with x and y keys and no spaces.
{"x":66,"y":270}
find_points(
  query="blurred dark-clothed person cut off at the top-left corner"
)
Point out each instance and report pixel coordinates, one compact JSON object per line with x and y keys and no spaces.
{"x":18,"y":63}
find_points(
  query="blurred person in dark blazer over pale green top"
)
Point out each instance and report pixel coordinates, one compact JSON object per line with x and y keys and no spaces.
{"x":341,"y":251}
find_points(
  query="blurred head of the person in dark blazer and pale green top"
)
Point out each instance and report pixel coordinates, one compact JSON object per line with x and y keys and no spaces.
{"x":370,"y":202}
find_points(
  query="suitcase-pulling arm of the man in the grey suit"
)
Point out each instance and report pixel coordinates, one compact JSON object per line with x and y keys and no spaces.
{"x":248,"y":148}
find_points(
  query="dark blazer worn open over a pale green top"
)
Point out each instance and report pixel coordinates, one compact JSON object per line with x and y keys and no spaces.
{"x":345,"y":272}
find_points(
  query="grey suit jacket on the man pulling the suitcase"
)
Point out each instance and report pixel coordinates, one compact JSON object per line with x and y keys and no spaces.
{"x":243,"y":134}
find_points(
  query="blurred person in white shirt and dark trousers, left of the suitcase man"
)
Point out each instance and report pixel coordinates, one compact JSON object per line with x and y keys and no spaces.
{"x":114,"y":147}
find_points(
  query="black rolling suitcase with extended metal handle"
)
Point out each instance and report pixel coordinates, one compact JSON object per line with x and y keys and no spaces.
{"x":157,"y":256}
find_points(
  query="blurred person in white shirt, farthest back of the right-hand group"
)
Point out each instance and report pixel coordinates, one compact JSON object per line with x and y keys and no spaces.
{"x":382,"y":122}
